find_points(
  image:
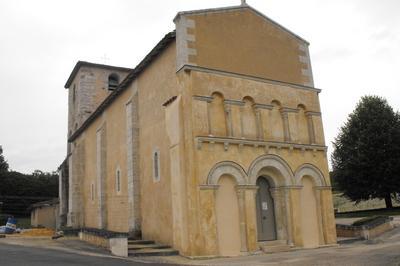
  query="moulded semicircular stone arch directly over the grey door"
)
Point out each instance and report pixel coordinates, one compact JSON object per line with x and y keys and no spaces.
{"x":270,"y":161}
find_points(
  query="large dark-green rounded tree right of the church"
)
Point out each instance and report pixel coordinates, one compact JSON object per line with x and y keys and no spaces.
{"x":366,"y":157}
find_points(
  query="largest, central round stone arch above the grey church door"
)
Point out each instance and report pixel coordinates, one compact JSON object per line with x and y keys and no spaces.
{"x":273,"y":166}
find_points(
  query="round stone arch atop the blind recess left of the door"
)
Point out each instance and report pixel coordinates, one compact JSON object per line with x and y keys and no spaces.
{"x":227,"y":168}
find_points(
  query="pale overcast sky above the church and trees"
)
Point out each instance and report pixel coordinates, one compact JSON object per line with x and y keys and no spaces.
{"x":355,"y":47}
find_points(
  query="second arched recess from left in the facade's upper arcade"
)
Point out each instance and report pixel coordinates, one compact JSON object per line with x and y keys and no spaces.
{"x":249,"y":125}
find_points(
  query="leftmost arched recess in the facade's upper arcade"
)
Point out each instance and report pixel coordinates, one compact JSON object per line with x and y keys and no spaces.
{"x":217,"y":115}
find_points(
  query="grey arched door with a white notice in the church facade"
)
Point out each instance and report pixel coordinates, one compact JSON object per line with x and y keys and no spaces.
{"x":266,"y":228}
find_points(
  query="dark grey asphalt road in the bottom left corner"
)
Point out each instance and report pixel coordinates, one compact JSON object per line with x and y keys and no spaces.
{"x":15,"y":255}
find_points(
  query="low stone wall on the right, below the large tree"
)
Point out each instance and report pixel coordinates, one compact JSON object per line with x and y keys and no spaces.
{"x":365,"y":231}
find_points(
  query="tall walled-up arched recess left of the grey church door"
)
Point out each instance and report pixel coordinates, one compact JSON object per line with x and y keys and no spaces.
{"x":227,"y":211}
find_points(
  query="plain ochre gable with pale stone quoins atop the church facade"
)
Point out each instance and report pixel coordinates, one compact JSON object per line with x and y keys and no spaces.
{"x":242,"y":40}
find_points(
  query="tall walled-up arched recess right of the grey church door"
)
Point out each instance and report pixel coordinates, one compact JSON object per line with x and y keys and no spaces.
{"x":309,"y":218}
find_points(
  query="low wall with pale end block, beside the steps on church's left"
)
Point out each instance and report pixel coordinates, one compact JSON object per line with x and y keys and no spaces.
{"x":116,"y":242}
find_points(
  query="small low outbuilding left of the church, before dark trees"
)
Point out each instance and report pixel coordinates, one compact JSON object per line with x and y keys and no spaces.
{"x":45,"y":214}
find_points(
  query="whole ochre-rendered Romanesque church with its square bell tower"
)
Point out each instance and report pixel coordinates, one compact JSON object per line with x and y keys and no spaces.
{"x":213,"y":144}
